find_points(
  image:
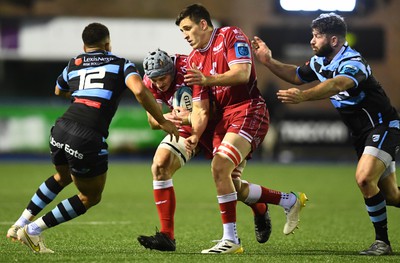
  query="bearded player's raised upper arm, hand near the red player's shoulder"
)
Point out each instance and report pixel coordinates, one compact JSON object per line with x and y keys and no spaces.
{"x":286,"y":72}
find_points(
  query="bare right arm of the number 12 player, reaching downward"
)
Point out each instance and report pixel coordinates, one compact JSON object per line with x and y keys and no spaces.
{"x":146,"y":99}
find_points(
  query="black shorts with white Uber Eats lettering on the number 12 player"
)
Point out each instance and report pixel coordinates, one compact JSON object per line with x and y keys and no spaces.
{"x":83,"y":149}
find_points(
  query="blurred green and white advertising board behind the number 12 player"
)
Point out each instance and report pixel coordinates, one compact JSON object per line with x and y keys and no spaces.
{"x":25,"y":129}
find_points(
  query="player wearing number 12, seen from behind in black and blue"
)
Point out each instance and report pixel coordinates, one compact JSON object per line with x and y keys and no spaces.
{"x":95,"y":81}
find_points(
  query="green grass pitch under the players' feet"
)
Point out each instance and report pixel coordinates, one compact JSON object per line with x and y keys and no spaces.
{"x":334,"y":225}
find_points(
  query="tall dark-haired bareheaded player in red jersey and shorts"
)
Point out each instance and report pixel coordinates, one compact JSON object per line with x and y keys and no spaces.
{"x":221,"y":68}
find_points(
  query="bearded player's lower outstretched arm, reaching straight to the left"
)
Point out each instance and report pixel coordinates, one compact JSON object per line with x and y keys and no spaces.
{"x":321,"y":91}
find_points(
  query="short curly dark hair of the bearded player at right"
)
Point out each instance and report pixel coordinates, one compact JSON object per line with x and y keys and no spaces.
{"x":331,"y":24}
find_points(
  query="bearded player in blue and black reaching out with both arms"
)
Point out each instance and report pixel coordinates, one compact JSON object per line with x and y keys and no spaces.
{"x":346,"y":78}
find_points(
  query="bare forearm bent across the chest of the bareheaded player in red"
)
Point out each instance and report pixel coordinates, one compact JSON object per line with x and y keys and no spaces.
{"x":237,"y":74}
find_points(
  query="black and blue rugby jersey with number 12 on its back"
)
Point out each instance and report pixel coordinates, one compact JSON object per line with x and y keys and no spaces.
{"x":97,"y":81}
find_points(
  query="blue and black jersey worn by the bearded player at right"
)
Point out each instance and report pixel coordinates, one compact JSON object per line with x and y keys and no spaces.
{"x":361,"y":107}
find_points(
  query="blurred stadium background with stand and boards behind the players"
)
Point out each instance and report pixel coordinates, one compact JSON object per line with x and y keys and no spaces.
{"x":38,"y":37}
